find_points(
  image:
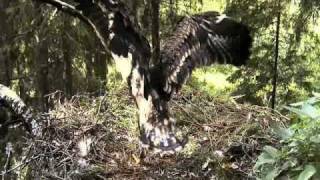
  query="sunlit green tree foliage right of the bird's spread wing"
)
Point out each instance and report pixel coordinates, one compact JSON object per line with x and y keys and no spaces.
{"x":298,"y":66}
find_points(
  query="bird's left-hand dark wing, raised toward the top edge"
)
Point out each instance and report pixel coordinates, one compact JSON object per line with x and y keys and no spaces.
{"x":118,"y":28}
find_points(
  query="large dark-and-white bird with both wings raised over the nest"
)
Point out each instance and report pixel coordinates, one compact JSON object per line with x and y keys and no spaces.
{"x":198,"y":40}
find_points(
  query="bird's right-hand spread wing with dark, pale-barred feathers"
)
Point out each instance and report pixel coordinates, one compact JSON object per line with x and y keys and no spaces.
{"x":200,"y":40}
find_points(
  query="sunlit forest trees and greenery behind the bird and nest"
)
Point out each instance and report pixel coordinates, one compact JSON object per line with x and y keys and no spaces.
{"x":40,"y":45}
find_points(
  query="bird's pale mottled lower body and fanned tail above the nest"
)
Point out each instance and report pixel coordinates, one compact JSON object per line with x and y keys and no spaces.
{"x":157,"y":129}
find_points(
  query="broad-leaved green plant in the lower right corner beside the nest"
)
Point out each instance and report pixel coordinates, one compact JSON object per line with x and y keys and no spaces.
{"x":298,"y":157}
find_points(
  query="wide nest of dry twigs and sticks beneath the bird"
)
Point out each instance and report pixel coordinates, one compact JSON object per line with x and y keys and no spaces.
{"x":97,"y":138}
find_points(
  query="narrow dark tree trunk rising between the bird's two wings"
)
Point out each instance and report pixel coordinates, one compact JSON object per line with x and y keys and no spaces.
{"x":155,"y":5}
